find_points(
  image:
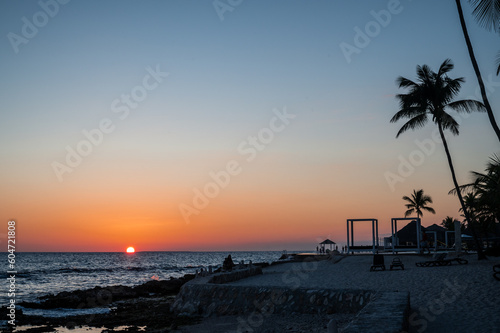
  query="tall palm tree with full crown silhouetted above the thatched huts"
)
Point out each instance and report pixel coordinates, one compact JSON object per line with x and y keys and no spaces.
{"x":432,"y":95}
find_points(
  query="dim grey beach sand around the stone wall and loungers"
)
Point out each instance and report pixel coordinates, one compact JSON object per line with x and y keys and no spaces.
{"x":456,"y":298}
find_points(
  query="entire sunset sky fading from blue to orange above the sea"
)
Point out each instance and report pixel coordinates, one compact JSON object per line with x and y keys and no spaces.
{"x":261,"y":125}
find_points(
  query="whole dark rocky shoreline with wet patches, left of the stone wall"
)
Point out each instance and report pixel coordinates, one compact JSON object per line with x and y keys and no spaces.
{"x":148,"y":305}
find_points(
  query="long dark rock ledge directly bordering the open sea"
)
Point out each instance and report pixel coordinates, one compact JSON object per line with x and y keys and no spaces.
{"x":99,"y":296}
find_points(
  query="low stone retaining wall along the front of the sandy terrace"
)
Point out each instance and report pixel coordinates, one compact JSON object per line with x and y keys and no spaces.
{"x":210,"y":299}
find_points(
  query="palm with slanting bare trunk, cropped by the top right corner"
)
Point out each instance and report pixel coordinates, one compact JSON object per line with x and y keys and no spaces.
{"x":483,"y":16}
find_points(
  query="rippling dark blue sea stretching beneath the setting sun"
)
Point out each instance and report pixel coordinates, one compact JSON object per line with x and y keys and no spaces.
{"x":40,"y":274}
